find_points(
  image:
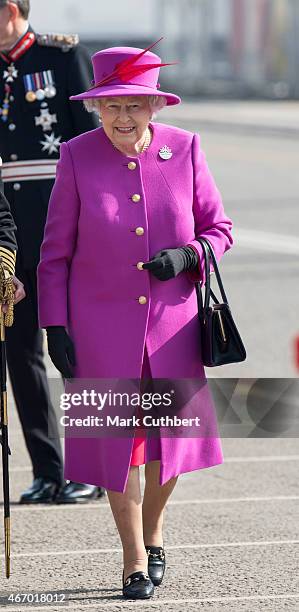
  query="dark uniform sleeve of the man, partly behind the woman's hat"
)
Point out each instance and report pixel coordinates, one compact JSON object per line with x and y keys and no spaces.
{"x":79,"y":80}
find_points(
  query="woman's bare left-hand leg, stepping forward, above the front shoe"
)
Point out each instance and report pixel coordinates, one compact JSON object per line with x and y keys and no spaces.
{"x":127,"y":511}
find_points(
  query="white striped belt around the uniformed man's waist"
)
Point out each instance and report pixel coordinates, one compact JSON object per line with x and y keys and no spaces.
{"x":29,"y":170}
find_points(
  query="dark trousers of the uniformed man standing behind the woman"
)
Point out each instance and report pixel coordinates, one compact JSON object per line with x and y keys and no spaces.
{"x":30,"y":386}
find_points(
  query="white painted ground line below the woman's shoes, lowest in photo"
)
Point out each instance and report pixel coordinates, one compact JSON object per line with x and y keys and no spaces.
{"x":71,"y":604}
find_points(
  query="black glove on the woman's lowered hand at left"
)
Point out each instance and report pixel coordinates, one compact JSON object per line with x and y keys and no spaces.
{"x":61,"y":350}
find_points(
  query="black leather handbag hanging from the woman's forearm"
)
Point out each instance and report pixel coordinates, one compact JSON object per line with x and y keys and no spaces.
{"x":220,"y":340}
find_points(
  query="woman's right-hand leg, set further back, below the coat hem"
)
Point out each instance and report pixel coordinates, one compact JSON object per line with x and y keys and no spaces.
{"x":154,"y":502}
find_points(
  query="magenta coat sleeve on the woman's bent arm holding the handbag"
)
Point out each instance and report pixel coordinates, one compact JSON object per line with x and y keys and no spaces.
{"x":210,"y":220}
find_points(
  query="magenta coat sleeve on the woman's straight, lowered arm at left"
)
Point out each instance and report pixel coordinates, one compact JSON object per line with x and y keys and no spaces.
{"x":58,"y":244}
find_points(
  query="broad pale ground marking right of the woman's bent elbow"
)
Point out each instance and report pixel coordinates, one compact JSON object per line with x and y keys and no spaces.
{"x":266,"y":241}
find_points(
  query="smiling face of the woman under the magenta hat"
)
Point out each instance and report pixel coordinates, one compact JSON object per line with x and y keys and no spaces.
{"x":125,"y":118}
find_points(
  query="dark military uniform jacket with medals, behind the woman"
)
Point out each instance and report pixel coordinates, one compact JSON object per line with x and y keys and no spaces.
{"x":36,"y":79}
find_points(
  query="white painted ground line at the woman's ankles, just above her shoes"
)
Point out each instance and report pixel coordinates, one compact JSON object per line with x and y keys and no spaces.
{"x":95,"y":551}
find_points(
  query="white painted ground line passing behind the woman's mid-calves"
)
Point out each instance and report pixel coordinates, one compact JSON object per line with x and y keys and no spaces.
{"x":175,"y":502}
